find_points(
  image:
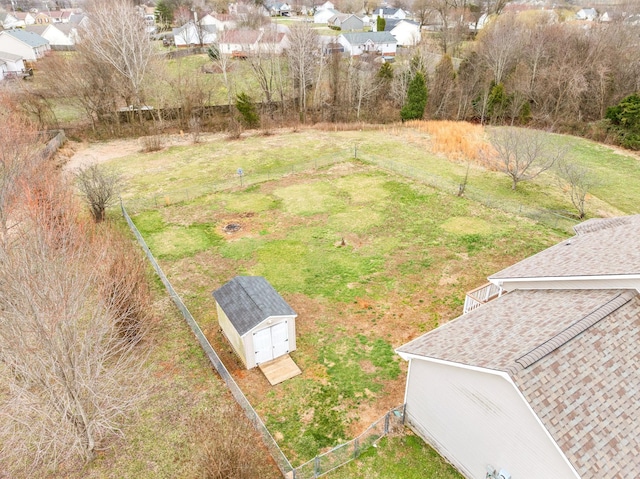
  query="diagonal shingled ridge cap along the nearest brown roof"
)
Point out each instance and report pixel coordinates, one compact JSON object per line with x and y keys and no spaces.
{"x":572,"y":331}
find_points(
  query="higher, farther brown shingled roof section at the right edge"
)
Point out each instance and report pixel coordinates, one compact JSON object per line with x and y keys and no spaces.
{"x":595,"y":250}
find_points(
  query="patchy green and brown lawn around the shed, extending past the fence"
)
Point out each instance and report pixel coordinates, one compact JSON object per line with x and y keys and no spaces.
{"x":410,"y":253}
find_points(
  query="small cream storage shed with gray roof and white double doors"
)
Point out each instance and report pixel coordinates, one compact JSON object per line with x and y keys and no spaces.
{"x":256,"y":320}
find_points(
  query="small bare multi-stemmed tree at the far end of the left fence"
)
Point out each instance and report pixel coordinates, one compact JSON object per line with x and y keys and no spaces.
{"x":98,"y":188}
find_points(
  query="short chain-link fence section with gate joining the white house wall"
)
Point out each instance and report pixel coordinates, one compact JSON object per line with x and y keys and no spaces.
{"x":392,"y":422}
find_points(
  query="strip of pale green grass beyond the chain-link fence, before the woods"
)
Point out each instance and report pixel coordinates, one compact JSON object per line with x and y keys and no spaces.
{"x":192,"y":170}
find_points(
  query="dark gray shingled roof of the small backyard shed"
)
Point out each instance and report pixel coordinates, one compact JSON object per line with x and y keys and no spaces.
{"x":249,"y":300}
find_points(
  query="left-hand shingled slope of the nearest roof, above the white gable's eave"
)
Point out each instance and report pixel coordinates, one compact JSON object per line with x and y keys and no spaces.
{"x":508,"y":328}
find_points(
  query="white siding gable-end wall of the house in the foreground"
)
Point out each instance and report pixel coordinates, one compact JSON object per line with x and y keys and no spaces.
{"x":478,"y":418}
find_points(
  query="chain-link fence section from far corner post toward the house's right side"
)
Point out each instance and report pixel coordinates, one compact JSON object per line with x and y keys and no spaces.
{"x":555,"y":219}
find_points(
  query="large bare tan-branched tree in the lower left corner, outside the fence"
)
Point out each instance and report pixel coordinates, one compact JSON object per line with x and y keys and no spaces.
{"x":71,"y":377}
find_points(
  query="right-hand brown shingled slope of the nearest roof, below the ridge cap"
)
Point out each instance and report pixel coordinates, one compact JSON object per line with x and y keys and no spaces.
{"x":594,"y":378}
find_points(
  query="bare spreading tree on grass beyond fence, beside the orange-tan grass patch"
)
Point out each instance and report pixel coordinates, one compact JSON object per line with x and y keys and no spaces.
{"x":522,"y":154}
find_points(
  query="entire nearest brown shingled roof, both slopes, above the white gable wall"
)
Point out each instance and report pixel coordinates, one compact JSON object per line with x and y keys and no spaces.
{"x":574,"y":354}
